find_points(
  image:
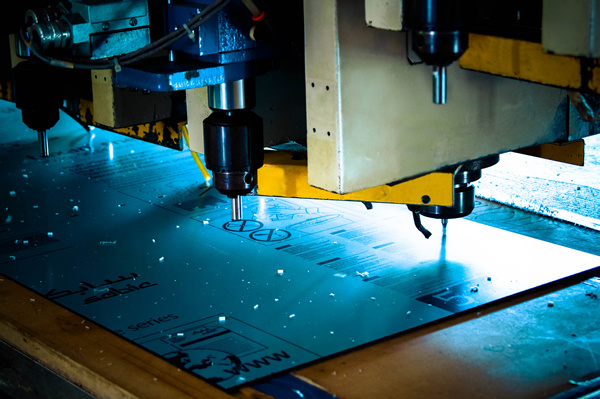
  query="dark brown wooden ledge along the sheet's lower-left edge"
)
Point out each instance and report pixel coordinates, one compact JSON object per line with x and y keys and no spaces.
{"x":88,"y":355}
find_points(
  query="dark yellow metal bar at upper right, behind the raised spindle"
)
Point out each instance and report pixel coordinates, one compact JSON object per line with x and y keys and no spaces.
{"x":528,"y":61}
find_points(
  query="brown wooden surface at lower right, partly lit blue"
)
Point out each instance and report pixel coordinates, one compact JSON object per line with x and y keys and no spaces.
{"x":514,"y":349}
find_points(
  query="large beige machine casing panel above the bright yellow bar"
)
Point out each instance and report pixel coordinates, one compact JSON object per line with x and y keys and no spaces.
{"x":370,"y":115}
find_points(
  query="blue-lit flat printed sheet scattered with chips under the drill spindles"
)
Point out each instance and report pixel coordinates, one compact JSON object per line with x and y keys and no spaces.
{"x":131,"y":239}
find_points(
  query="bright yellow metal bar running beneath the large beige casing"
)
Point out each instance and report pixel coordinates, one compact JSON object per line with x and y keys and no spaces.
{"x":283,"y":176}
